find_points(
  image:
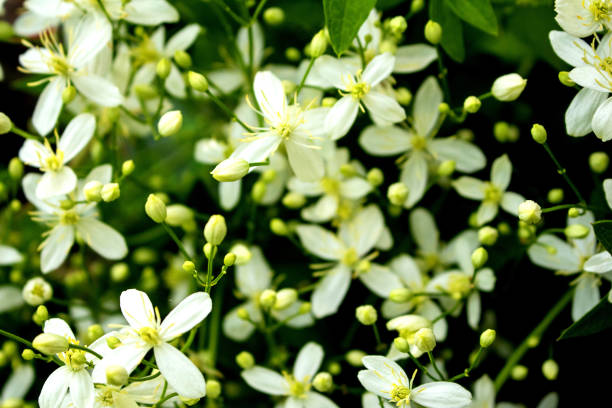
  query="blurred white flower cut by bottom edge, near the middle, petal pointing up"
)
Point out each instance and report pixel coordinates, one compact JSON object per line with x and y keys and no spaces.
{"x":295,"y":386}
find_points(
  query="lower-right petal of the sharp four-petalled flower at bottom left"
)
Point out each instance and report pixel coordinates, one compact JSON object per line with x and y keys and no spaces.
{"x":184,"y":377}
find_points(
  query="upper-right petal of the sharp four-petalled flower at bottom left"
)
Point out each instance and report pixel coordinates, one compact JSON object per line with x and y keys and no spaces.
{"x":186,"y":315}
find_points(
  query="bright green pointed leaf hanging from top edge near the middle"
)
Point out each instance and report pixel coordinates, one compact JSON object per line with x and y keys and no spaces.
{"x":343,"y":19}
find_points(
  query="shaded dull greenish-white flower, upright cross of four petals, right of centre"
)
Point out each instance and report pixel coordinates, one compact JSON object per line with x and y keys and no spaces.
{"x":418,"y":145}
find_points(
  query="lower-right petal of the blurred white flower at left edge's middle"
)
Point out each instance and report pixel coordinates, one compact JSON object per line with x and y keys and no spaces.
{"x":103,"y":239}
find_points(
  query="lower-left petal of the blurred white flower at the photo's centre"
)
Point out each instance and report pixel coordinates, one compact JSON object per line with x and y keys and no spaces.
{"x":330,"y":291}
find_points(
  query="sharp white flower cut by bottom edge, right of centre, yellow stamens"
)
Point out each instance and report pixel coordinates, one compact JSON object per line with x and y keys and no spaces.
{"x":388,"y":380}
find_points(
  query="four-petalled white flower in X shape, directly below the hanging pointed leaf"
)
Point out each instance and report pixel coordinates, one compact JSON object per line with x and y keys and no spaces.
{"x":357,"y":87}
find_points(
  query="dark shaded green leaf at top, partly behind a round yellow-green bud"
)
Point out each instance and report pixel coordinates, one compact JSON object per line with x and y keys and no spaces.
{"x":452,"y":30}
